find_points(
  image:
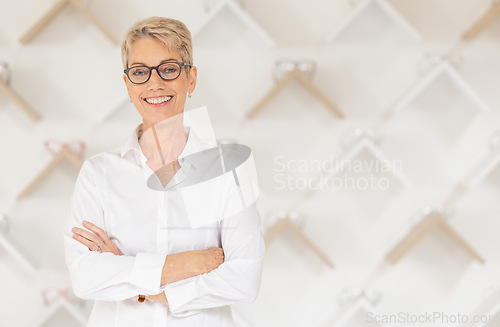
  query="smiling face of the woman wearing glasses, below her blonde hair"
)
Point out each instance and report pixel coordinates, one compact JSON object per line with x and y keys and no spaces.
{"x":157,"y":99}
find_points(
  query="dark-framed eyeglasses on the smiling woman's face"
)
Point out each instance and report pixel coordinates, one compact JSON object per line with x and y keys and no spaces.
{"x":167,"y":71}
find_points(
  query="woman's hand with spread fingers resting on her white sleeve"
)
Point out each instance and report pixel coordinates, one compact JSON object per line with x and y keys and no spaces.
{"x":96,"y":240}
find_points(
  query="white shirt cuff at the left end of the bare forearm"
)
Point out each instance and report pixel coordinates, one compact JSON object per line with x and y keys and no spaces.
{"x":147,"y":270}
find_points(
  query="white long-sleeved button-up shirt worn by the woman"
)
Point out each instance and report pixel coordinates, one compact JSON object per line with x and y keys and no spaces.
{"x":111,"y":191}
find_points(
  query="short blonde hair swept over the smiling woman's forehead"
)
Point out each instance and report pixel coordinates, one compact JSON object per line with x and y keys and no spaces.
{"x":173,"y":33}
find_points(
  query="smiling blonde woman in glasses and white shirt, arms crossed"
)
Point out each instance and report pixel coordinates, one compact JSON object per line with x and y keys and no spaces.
{"x":136,"y":250}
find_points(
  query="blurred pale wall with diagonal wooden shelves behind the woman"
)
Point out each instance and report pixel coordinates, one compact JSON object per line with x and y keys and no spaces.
{"x":374,"y":127}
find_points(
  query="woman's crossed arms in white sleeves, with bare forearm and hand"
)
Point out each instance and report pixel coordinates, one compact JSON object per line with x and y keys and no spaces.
{"x":189,"y":280}
